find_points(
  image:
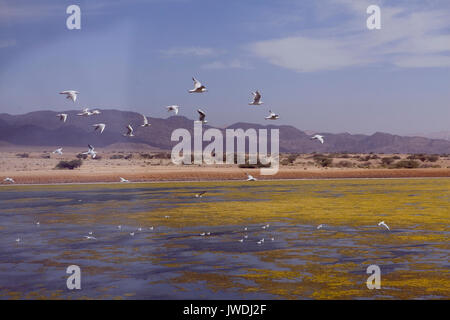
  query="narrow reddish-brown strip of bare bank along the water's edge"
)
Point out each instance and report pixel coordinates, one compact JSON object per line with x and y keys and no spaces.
{"x":173,"y":173}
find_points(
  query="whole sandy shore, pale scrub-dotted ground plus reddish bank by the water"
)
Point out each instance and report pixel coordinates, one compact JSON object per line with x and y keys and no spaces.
{"x":38,"y":167}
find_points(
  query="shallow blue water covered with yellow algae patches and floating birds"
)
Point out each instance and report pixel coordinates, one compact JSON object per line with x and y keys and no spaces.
{"x":173,"y":261}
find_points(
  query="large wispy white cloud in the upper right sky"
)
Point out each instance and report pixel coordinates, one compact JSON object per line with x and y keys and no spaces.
{"x":408,"y":39}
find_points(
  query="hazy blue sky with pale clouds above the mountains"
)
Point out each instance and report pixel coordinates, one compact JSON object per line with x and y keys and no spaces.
{"x":315,"y":61}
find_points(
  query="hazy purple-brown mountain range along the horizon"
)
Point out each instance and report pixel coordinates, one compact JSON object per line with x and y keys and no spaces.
{"x":43,"y":128}
